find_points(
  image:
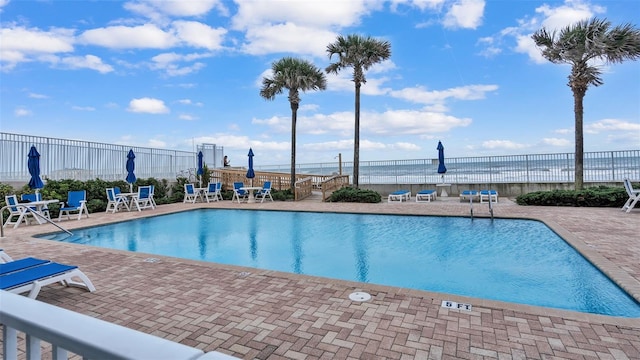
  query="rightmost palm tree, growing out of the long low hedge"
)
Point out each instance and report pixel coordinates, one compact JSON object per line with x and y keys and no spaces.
{"x":580,"y":45}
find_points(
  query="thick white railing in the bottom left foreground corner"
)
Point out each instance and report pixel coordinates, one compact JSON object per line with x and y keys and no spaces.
{"x":70,"y":332}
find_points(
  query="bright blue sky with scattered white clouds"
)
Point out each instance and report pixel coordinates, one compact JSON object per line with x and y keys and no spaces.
{"x":171,"y":74}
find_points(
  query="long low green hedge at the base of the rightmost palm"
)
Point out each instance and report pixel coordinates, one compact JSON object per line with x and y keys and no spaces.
{"x":601,"y":196}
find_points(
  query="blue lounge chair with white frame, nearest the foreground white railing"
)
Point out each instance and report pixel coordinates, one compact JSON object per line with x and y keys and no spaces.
{"x":32,"y":274}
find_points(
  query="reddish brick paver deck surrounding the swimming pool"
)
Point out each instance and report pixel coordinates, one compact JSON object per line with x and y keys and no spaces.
{"x":260,"y":314}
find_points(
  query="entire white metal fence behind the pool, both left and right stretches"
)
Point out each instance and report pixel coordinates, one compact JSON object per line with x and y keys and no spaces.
{"x":84,"y":160}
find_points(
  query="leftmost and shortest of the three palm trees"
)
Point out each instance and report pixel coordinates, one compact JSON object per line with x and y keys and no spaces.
{"x":294,"y":75}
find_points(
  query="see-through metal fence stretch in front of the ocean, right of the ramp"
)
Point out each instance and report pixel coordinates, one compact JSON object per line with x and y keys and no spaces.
{"x":604,"y":166}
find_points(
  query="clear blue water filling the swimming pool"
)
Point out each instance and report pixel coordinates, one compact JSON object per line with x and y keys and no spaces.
{"x":520,"y":261}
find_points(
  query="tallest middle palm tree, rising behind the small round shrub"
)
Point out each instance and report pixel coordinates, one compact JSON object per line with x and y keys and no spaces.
{"x":359,"y":53}
